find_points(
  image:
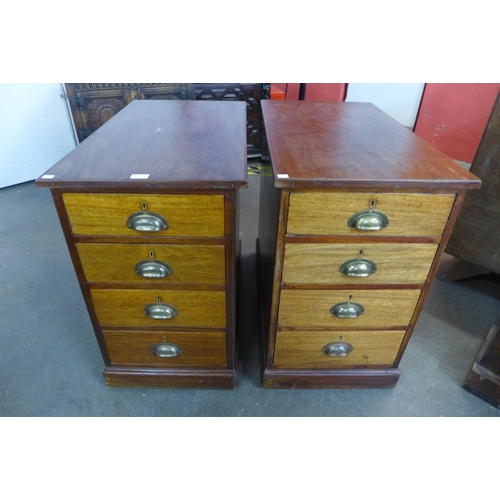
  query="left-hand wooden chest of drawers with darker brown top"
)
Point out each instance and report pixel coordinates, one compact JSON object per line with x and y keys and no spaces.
{"x":148,"y":205}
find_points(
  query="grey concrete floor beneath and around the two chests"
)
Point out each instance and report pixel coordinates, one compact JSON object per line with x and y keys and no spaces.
{"x":50,"y":364}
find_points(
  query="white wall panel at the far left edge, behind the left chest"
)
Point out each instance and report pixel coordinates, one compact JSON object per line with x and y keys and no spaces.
{"x":35,"y":130}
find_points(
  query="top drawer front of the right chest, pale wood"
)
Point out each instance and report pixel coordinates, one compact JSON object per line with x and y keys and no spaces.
{"x":408,"y":214}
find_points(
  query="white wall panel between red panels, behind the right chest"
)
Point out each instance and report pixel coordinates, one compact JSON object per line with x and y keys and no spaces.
{"x":399,"y":100}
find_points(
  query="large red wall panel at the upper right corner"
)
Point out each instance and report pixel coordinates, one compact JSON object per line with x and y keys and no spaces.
{"x":453,"y":116}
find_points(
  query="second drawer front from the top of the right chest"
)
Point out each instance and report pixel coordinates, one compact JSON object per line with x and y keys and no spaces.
{"x":321,"y":262}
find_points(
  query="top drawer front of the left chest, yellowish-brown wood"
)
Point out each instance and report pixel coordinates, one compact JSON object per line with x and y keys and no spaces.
{"x":107,"y":214}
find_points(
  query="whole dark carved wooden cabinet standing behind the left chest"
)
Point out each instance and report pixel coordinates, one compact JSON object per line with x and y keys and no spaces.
{"x":93,"y":104}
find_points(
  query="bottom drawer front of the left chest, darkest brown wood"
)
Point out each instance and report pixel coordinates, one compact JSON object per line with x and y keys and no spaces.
{"x":196,"y":348}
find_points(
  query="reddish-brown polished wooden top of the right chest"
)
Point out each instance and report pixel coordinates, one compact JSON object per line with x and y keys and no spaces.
{"x":354,"y":145}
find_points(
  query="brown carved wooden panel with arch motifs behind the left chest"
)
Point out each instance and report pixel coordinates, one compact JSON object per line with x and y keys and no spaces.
{"x":93,"y":104}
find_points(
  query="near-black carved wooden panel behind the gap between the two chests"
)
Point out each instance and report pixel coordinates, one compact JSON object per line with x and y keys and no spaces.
{"x":252,"y":93}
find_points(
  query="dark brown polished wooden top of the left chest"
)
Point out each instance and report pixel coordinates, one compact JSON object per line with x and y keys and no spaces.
{"x":160,"y":144}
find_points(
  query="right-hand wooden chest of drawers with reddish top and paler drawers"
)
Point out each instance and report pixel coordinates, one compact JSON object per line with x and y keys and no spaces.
{"x":355,"y":212}
